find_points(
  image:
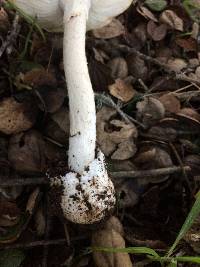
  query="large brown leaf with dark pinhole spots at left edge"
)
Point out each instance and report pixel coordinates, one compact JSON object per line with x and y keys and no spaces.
{"x":16,"y":117}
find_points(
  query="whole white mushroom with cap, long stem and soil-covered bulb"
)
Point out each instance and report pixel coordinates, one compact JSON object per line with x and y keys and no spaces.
{"x":88,"y":193}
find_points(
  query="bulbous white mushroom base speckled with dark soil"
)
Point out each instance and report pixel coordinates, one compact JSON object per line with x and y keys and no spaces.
{"x":89,"y":197}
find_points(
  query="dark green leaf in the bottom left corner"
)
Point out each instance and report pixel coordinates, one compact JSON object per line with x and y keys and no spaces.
{"x":11,"y":258}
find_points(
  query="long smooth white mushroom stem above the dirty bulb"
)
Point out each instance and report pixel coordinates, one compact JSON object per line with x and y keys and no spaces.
{"x":81,"y":97}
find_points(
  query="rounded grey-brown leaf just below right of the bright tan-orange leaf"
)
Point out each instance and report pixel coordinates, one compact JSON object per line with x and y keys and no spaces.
{"x":150,"y":110}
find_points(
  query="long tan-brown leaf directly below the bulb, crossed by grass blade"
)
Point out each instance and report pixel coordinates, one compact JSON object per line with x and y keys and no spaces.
{"x":110,"y":237}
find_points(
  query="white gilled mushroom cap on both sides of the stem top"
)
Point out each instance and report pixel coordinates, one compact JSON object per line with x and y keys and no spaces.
{"x":50,"y":12}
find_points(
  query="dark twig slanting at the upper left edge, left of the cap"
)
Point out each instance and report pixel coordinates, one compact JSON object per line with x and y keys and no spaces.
{"x":12,"y":36}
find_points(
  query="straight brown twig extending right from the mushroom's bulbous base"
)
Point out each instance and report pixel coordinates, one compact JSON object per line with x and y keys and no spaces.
{"x":149,"y":173}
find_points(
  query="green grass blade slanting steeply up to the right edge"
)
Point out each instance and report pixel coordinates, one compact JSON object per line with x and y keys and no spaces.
{"x":194,"y":212}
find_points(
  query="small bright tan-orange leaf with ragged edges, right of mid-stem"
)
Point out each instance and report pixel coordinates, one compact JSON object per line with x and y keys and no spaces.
{"x":122,"y":90}
